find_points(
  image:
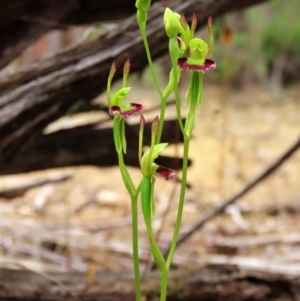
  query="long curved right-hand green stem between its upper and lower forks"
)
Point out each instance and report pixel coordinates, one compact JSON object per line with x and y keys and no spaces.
{"x":181,"y":201}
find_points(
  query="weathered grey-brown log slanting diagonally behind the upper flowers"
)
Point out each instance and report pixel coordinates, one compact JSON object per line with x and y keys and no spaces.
{"x":47,"y":89}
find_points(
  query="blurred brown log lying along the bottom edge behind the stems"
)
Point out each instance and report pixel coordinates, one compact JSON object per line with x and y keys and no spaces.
{"x":212,"y":282}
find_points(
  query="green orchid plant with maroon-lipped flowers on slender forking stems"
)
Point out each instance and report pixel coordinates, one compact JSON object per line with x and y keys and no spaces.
{"x":187,"y":53}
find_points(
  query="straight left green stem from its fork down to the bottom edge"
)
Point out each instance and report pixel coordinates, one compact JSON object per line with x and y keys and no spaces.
{"x":135,"y":247}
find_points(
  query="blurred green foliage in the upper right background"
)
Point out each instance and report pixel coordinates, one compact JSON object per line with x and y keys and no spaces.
{"x":269,"y":30}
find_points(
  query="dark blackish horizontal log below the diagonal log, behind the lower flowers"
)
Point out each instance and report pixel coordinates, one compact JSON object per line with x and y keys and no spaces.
{"x":87,"y":145}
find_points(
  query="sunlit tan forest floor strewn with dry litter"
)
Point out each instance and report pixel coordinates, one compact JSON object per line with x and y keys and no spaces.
{"x":84,"y":223}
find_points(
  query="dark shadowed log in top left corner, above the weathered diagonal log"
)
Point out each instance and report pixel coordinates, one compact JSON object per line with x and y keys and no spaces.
{"x":23,"y":21}
